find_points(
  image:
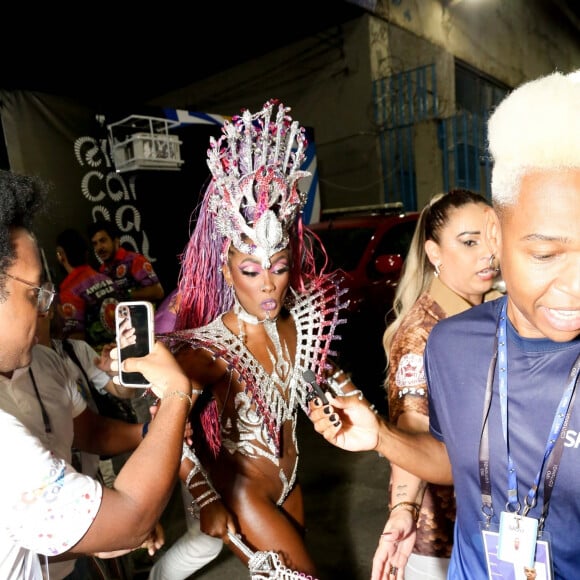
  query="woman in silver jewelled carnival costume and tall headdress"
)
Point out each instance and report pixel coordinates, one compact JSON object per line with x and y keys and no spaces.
{"x":253,"y":331}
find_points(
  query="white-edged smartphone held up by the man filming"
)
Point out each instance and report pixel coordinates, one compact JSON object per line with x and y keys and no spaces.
{"x":134,"y":325}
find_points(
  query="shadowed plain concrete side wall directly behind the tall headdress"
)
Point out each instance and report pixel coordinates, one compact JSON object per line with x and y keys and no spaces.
{"x":325,"y":79}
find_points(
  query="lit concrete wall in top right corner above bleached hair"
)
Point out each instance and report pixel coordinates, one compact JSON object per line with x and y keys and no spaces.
{"x":511,"y":41}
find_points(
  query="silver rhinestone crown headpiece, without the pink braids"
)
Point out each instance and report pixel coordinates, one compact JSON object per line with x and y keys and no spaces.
{"x":255,"y":166}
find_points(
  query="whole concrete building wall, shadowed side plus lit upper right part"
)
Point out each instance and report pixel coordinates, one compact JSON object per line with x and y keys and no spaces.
{"x":327,"y":79}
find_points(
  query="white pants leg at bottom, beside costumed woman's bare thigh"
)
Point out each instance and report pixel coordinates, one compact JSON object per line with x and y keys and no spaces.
{"x":188,"y":553}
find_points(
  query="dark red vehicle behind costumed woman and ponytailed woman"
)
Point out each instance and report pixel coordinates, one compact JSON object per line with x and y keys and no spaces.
{"x":369,"y":243}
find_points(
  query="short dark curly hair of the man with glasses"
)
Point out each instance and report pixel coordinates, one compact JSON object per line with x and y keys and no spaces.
{"x":21,"y":199}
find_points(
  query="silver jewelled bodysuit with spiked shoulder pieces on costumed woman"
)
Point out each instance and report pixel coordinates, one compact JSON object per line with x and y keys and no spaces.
{"x":269,"y":400}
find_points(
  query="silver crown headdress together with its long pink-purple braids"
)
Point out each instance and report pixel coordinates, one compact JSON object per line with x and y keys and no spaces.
{"x":252,"y":202}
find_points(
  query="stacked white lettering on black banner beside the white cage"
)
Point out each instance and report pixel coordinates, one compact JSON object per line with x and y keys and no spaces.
{"x":110,"y":194}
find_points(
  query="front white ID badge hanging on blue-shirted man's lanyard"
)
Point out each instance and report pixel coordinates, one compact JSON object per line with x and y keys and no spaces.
{"x":517,"y":539}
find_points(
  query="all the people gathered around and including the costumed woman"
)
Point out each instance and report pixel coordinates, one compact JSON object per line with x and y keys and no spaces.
{"x":482,"y":476}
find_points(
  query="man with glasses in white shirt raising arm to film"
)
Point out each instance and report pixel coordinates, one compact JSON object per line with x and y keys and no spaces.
{"x":46,"y":507}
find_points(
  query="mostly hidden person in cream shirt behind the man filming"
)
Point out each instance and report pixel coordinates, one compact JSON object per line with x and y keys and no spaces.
{"x":54,"y":400}
